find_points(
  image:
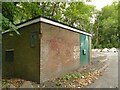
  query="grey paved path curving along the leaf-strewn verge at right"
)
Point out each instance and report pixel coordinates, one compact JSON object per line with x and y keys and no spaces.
{"x":109,"y":79}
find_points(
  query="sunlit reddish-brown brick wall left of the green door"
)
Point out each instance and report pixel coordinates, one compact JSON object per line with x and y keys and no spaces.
{"x":59,"y":51}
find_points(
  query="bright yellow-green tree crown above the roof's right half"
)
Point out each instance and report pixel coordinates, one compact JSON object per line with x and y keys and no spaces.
{"x":78,"y":14}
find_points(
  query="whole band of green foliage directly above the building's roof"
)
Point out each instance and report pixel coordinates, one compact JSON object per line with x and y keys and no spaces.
{"x":75,"y":14}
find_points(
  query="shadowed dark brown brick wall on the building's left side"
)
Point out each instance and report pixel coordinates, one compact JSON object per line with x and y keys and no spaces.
{"x":26,"y":58}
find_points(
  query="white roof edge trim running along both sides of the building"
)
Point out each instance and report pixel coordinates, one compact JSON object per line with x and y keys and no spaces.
{"x":41,"y":19}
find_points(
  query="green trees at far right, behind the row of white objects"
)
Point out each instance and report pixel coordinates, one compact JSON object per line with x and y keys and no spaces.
{"x":106,"y":27}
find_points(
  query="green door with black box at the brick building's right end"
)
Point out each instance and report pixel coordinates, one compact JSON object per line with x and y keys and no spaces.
{"x":84,"y":49}
